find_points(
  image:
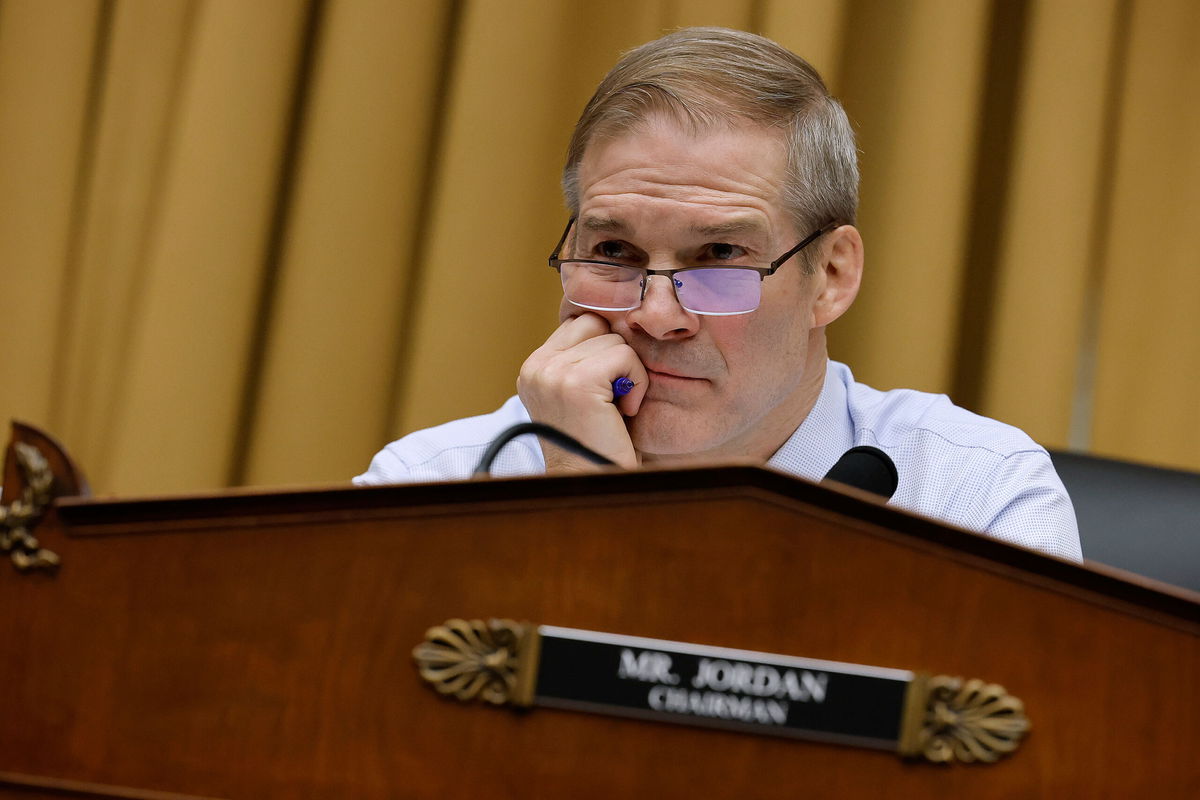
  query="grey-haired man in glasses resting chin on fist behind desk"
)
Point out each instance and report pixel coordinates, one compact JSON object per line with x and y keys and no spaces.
{"x":713,"y":185}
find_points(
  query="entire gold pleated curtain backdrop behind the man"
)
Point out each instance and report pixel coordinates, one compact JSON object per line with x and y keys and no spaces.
{"x":250,"y":243}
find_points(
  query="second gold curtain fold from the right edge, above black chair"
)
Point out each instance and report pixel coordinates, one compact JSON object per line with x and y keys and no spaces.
{"x":1053,"y":214}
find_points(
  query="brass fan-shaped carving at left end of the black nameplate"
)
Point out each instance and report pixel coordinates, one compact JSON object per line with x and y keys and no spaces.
{"x":493,"y":661}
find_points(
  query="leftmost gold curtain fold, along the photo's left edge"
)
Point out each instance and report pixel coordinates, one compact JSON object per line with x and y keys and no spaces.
{"x":46,"y":89}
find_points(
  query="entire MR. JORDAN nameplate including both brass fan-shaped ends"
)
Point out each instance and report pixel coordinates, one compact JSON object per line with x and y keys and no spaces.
{"x":938,"y":719}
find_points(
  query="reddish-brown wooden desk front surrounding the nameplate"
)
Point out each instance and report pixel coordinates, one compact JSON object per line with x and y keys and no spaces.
{"x":260,"y":645}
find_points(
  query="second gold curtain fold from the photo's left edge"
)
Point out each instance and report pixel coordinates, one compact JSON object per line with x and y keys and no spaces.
{"x":146,"y":49}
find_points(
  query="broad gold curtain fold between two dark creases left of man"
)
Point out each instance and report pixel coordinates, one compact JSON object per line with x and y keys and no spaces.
{"x":353,"y":246}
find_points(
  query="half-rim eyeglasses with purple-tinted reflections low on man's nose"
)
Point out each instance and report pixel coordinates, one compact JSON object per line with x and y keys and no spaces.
{"x":710,"y":291}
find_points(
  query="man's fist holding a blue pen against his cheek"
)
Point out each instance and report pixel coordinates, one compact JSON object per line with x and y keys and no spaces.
{"x":568,"y":383}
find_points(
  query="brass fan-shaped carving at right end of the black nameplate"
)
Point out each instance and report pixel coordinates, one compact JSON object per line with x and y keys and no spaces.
{"x":951,"y":719}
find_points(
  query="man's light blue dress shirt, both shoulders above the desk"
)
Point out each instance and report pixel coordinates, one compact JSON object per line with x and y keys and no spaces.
{"x":955,"y":466}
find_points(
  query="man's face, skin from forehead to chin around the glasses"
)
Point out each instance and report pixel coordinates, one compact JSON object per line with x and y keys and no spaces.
{"x":664,"y":199}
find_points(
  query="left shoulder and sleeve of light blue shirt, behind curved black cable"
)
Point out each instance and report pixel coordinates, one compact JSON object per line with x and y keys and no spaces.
{"x":451,"y":452}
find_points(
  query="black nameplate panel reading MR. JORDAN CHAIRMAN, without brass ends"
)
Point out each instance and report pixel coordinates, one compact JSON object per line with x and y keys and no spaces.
{"x":694,"y":684}
